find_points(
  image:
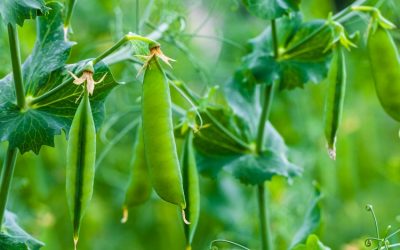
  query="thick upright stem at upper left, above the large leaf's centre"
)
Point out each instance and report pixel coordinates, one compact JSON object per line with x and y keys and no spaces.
{"x":16,"y":65}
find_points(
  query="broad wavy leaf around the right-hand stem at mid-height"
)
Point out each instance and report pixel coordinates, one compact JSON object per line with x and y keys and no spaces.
{"x":217,"y":151}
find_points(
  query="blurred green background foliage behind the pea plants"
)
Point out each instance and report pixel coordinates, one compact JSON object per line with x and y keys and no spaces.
{"x":208,"y":50}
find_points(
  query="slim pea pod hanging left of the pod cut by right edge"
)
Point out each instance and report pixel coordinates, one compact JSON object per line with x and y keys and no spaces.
{"x":335,"y":100}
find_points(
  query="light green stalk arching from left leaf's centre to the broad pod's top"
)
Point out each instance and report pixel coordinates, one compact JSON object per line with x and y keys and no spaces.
{"x":126,"y":38}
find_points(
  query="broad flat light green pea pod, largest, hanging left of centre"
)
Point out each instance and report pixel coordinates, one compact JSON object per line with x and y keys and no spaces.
{"x":159,"y":141}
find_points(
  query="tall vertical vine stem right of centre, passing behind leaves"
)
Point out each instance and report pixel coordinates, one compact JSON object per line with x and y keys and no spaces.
{"x":266,"y":242}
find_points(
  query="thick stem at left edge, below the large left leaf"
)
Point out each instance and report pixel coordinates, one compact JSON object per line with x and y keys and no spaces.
{"x":6,"y":177}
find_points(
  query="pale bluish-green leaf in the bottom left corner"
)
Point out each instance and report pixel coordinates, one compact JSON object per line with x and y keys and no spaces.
{"x":13,"y":237}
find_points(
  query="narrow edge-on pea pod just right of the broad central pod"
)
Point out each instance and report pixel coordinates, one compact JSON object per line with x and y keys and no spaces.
{"x":191,"y":188}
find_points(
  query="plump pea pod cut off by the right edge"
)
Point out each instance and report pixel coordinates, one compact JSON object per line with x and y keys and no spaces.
{"x":385,"y":64}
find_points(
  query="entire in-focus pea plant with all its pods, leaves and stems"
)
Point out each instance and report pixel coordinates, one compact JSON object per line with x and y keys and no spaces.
{"x":44,"y":96}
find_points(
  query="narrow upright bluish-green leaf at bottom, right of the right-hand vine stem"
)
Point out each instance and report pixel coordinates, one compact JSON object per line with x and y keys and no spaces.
{"x":311,"y":221}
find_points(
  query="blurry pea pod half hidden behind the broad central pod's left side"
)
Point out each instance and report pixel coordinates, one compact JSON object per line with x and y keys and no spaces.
{"x":139,"y":188}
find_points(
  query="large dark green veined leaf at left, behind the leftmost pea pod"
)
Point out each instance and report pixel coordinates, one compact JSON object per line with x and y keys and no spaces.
{"x":45,"y":69}
